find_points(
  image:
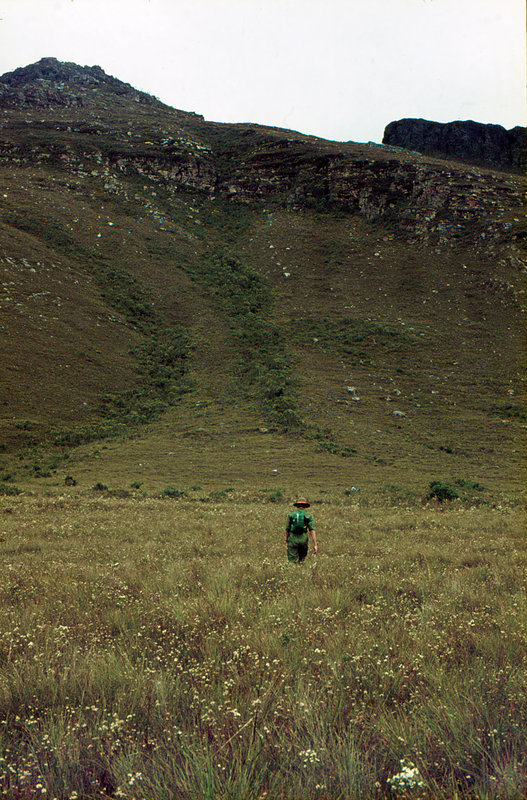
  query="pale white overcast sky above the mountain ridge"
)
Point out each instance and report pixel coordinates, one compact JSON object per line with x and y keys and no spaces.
{"x":341,"y":69}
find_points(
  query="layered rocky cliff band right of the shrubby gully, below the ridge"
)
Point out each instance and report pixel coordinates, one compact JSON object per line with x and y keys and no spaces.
{"x":430,"y":201}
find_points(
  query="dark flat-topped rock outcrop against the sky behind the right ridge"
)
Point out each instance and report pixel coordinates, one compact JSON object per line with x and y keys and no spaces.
{"x":474,"y":142}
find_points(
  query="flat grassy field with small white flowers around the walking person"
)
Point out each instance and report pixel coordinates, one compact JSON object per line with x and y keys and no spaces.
{"x":163,"y":648}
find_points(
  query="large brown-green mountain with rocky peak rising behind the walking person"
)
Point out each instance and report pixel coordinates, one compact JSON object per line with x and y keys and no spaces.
{"x":238,"y":305}
